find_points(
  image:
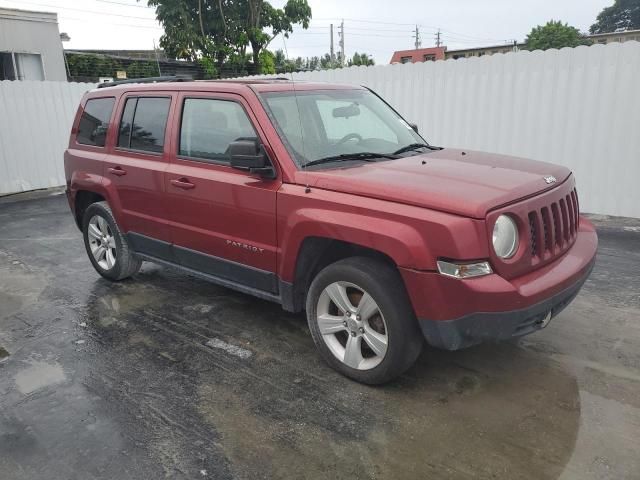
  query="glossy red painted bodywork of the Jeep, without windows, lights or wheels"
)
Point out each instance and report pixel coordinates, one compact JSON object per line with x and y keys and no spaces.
{"x":414,"y":210}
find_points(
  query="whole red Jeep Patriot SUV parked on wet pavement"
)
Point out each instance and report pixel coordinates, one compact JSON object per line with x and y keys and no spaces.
{"x":323,"y":198}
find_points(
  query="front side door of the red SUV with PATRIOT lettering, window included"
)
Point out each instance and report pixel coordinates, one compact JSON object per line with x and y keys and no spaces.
{"x":223,"y":220}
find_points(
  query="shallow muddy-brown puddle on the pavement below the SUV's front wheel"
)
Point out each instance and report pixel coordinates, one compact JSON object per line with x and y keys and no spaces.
{"x":469,"y":415}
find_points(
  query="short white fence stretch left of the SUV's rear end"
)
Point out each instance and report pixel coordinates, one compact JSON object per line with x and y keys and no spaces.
{"x":35,"y":121}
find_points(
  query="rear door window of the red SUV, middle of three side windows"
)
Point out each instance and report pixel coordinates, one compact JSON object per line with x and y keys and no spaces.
{"x":143,"y":124}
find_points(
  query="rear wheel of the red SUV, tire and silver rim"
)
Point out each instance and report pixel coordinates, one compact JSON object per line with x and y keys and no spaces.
{"x":99,"y":230}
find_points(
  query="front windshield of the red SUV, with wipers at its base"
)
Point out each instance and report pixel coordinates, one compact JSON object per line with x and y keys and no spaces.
{"x":319,"y":124}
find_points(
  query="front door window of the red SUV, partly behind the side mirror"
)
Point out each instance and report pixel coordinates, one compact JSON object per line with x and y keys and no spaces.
{"x":209,"y":126}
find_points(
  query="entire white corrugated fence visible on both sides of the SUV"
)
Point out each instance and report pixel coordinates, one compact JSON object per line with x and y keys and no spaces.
{"x":575,"y":107}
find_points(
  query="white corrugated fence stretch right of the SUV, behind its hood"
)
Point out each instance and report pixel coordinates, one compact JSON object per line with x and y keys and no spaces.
{"x":578,"y":107}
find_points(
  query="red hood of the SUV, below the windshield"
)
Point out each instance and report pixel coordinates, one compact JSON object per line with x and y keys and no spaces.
{"x":461,"y":182}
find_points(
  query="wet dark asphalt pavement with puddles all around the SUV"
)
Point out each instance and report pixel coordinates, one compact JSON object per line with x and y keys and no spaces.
{"x":167,"y":376}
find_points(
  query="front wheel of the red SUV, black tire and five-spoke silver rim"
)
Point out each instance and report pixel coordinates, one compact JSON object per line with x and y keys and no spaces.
{"x":390,"y":317}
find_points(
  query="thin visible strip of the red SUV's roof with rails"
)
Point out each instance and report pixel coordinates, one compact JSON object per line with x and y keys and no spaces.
{"x":230,"y":86}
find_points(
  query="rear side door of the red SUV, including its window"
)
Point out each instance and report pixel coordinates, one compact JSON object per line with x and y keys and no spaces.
{"x":135,"y":168}
